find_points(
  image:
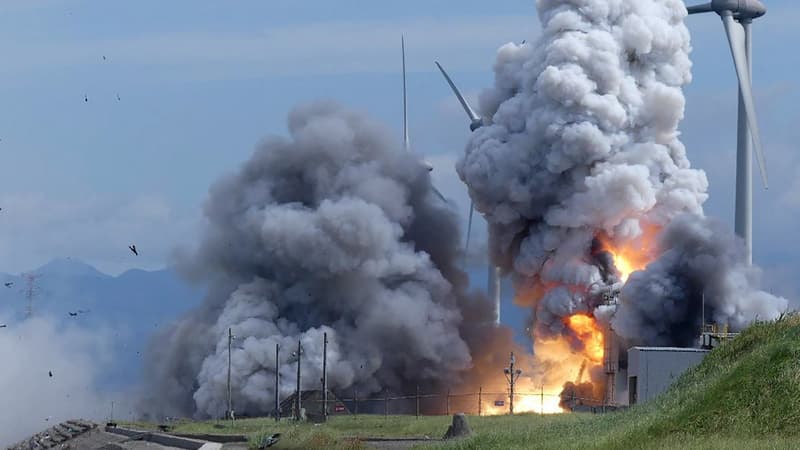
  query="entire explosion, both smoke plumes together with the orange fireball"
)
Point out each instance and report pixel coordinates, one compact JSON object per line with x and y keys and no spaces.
{"x":593,"y":208}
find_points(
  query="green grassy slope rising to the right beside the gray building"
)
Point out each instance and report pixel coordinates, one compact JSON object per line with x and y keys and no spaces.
{"x":745,"y":394}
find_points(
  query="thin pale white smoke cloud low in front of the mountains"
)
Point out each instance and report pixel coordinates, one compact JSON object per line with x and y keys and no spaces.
{"x":32,"y":399}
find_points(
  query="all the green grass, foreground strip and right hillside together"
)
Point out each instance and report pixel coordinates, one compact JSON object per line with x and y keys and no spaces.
{"x":745,"y":394}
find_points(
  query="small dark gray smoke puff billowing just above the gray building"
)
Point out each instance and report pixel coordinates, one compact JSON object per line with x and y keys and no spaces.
{"x":701,"y":259}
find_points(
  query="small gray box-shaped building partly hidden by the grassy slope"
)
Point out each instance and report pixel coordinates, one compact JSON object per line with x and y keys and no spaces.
{"x":652,"y":370}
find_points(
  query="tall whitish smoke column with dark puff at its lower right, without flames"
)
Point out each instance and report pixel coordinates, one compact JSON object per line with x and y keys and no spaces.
{"x":583,"y":146}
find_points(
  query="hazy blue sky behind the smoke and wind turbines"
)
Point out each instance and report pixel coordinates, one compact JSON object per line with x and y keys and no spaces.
{"x":199,"y":84}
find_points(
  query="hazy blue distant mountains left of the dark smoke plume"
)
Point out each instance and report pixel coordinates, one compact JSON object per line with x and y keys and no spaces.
{"x":128,"y":307}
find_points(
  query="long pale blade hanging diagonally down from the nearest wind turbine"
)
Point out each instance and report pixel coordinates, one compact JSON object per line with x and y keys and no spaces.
{"x":736,"y":39}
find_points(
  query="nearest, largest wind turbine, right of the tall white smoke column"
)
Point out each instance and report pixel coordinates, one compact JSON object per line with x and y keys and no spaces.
{"x":737,"y":18}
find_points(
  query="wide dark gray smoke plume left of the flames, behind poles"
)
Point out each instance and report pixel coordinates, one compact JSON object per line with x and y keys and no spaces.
{"x":333,"y":230}
